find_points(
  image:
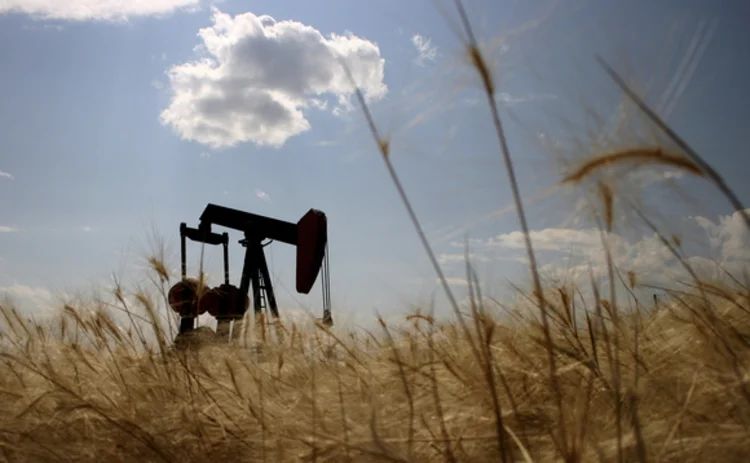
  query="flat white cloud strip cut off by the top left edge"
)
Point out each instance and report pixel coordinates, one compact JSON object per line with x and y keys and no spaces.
{"x":94,"y":10}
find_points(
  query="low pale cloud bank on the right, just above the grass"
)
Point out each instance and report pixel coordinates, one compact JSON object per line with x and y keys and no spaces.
{"x":572,"y":255}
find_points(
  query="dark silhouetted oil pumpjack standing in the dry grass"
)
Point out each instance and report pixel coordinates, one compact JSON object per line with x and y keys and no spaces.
{"x":227,"y":302}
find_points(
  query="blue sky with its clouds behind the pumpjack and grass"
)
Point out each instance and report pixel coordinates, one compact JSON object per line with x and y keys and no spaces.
{"x":113,"y":125}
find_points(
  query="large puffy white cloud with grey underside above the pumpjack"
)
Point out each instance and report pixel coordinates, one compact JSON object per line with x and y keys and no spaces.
{"x":260,"y":75}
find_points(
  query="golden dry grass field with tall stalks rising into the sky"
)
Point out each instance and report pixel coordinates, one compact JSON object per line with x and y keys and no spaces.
{"x":572,"y":380}
